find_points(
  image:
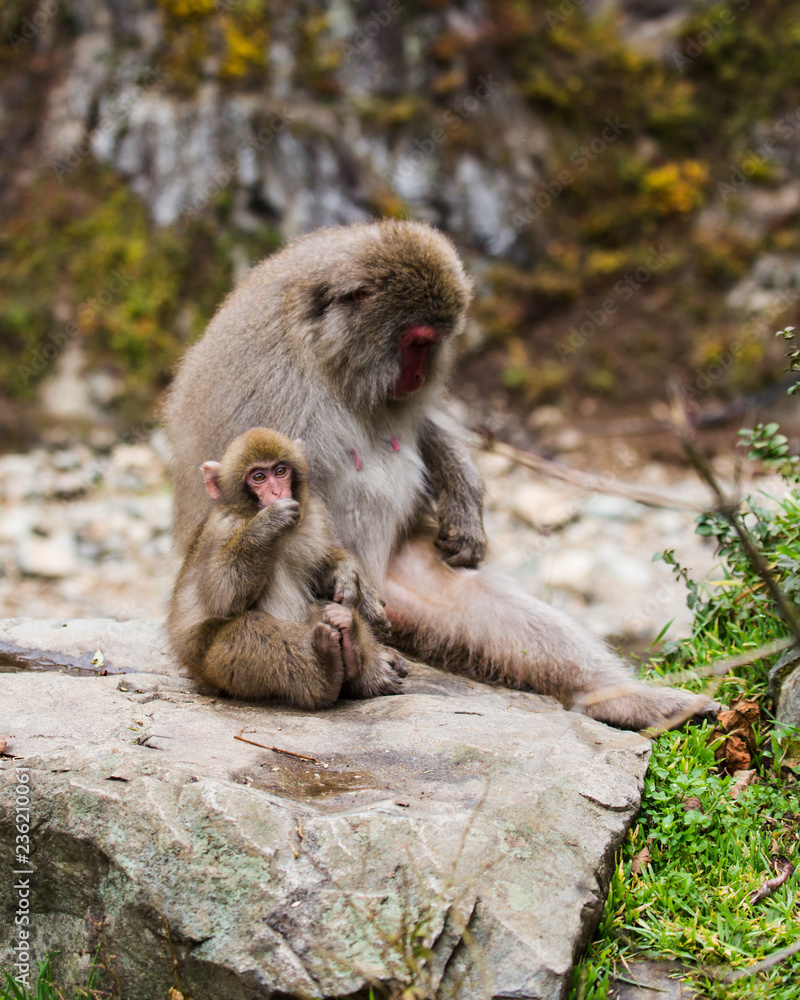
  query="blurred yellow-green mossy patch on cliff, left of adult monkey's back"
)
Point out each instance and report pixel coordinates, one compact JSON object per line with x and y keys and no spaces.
{"x":85,"y":265}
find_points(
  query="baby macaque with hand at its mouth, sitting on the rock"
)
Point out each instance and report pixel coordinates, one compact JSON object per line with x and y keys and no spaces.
{"x":265,"y":606}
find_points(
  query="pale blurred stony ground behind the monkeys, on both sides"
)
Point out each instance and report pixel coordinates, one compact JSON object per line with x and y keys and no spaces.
{"x":86,"y":533}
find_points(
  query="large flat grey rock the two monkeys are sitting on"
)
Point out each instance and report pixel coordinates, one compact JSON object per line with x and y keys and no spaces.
{"x":459,"y":837}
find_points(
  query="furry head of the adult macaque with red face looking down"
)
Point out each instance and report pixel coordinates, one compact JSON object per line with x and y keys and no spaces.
{"x":381,"y":315}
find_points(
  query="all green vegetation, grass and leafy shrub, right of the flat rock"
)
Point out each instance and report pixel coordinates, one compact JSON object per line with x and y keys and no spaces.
{"x":690,"y":903}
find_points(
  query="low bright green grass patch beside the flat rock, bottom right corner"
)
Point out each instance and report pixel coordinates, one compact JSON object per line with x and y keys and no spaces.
{"x":690,"y":903}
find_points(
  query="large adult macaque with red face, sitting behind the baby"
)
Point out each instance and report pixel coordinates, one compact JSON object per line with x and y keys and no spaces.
{"x":345,"y":338}
